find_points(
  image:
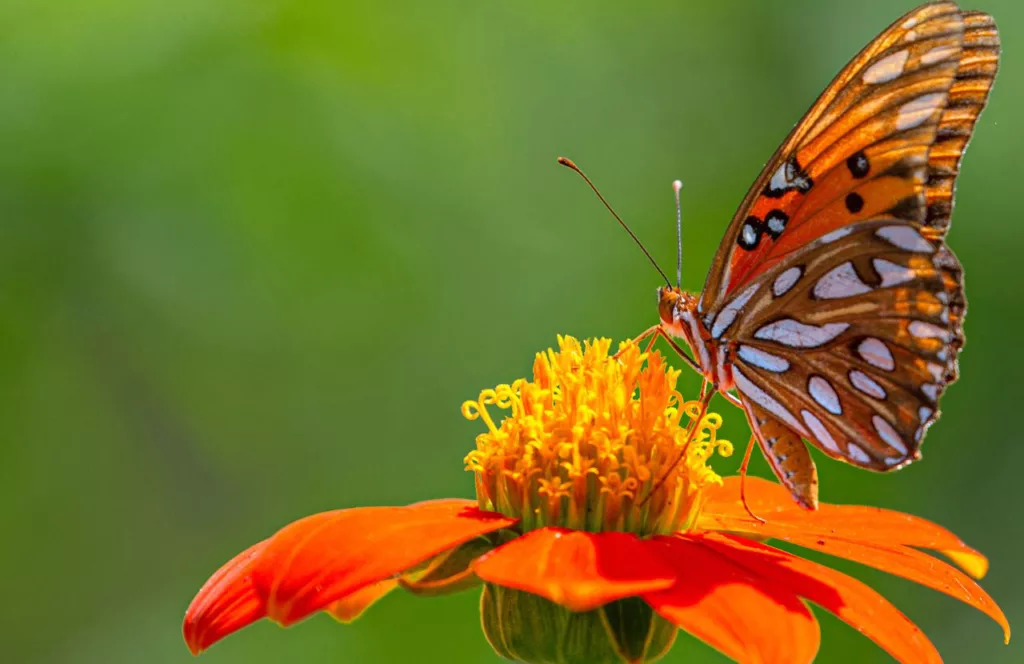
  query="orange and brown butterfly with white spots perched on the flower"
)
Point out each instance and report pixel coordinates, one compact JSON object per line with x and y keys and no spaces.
{"x":834,"y":308}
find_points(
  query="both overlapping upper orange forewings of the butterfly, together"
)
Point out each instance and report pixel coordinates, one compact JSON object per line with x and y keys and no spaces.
{"x":866,"y":146}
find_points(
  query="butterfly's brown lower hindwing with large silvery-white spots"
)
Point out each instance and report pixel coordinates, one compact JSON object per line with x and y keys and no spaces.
{"x":852,"y":342}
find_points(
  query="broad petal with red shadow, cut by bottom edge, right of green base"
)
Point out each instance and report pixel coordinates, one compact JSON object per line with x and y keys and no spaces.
{"x":744,"y":615}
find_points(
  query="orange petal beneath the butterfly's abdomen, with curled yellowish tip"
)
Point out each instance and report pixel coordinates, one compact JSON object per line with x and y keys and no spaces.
{"x":724,"y":512}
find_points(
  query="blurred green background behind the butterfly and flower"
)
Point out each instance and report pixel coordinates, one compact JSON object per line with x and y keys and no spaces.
{"x":254,"y":256}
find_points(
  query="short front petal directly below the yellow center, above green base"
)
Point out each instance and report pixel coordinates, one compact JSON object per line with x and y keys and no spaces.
{"x":581,"y":571}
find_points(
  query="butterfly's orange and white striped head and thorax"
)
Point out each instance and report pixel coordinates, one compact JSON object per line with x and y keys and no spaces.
{"x":679,"y":317}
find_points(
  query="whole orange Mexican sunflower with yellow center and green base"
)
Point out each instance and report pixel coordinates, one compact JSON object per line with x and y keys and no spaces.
{"x":599,"y":532}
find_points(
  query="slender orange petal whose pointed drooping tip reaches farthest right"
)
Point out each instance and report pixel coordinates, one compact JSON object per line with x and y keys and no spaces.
{"x":910,"y":564}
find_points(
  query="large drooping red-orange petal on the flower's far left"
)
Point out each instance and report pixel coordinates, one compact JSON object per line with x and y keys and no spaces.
{"x":320,"y":560}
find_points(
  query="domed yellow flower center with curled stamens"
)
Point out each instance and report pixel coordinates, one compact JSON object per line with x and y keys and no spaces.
{"x":595,"y":442}
